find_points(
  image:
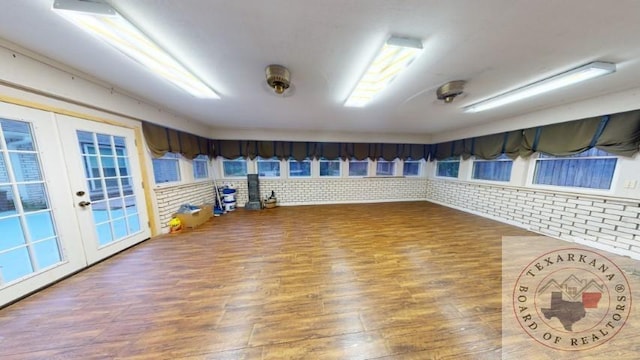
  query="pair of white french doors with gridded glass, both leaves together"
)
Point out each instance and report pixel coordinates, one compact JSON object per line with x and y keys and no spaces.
{"x":70,"y":195}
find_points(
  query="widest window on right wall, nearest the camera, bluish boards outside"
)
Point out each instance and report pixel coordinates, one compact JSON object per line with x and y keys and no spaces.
{"x":590,"y":169}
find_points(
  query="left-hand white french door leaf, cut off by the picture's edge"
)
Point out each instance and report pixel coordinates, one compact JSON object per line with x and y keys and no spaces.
{"x":40,"y":238}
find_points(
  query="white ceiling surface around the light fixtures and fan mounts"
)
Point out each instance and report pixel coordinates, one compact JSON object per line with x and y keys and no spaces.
{"x":494,"y":45}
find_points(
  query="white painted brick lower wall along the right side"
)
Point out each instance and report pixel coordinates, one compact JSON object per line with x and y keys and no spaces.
{"x":612,"y":223}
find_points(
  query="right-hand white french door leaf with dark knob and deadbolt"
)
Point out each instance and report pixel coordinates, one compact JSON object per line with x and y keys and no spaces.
{"x":106,"y":185}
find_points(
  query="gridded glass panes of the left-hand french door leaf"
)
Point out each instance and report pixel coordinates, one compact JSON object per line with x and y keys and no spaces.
{"x":30,"y":242}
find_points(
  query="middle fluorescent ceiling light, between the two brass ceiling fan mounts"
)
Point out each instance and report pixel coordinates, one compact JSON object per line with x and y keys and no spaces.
{"x":396,"y":54}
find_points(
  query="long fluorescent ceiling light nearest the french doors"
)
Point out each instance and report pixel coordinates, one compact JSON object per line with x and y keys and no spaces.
{"x":104,"y":22}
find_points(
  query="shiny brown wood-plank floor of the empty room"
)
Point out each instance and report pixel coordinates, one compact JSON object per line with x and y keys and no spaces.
{"x":371,"y":281}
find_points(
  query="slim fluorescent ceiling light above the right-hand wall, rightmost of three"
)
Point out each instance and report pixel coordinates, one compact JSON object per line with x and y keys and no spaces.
{"x":582,"y":73}
